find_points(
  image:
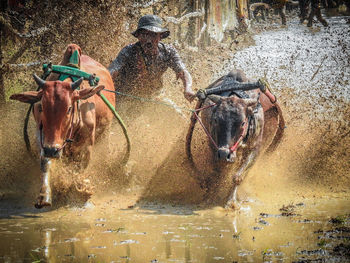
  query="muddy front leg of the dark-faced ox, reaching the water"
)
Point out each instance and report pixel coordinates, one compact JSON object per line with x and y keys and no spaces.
{"x":238,"y":178}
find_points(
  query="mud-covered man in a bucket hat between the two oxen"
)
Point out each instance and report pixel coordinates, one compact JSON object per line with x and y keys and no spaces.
{"x":139,"y":66}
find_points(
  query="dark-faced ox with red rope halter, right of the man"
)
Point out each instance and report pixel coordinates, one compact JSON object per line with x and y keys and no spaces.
{"x":239,"y":130}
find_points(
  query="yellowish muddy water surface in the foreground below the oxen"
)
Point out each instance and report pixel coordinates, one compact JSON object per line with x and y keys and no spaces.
{"x":173,"y":234}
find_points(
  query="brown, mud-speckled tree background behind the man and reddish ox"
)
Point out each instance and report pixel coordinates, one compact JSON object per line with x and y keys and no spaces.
{"x":33,"y":32}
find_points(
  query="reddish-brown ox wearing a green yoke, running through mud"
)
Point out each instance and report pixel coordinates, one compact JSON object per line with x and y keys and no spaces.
{"x":65,"y":114}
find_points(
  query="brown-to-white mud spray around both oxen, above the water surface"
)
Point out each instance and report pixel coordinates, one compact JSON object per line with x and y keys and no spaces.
{"x":308,"y":70}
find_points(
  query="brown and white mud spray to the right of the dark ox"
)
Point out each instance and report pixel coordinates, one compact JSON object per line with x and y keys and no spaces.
{"x":309,"y":68}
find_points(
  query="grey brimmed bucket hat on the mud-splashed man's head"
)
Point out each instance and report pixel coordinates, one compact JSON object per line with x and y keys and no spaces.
{"x":151,"y":23}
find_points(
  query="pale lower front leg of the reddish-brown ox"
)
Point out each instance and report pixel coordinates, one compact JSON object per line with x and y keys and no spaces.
{"x":44,"y":198}
